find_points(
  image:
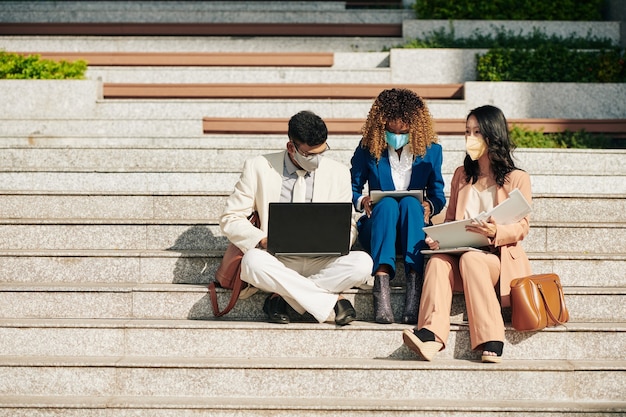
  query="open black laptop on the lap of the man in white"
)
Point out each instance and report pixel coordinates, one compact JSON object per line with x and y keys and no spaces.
{"x":309,"y":229}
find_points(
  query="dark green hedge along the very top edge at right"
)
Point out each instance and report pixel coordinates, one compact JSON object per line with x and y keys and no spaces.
{"x":581,"y":10}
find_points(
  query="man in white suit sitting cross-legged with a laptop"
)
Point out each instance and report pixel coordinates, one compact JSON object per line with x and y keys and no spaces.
{"x":312,"y":285}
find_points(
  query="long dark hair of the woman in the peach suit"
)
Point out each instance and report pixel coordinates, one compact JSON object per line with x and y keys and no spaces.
{"x":495,"y":131}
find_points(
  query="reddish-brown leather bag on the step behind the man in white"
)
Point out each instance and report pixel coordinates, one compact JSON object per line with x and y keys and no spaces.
{"x":228,"y":274}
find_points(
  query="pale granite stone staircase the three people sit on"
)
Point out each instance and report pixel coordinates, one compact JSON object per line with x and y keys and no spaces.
{"x":109,"y":235}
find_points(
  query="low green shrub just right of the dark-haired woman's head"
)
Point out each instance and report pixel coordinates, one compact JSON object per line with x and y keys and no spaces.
{"x":526,"y":138}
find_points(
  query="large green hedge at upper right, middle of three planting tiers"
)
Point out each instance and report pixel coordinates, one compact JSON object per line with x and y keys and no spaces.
{"x":535,"y":57}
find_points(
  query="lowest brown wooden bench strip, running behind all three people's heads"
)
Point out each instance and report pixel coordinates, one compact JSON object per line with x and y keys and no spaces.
{"x":611,"y":127}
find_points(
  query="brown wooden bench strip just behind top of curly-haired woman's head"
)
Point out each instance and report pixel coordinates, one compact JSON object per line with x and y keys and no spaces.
{"x":273,"y":91}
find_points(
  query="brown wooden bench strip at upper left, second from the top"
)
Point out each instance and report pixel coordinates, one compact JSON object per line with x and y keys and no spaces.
{"x":190,"y":59}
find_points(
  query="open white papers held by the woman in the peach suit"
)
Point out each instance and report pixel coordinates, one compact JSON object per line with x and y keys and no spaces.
{"x":453,"y":238}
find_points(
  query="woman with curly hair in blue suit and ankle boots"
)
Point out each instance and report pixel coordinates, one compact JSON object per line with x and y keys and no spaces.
{"x":398,"y":151}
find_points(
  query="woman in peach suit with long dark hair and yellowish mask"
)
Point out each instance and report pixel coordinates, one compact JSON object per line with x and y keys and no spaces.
{"x":486,"y":178}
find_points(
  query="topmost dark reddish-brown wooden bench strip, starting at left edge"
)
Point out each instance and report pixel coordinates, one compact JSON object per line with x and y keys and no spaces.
{"x":203,"y":29}
